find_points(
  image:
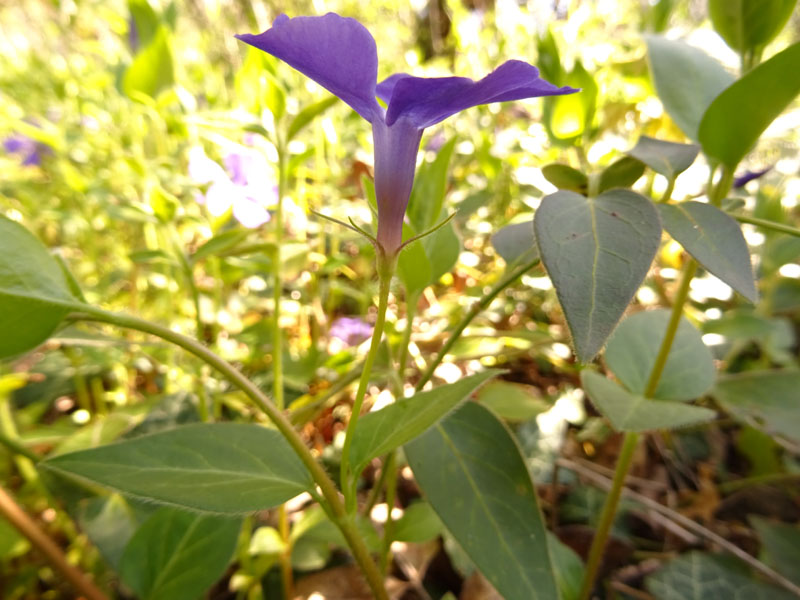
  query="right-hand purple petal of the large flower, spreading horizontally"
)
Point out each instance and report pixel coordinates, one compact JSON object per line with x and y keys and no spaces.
{"x":425,"y":101}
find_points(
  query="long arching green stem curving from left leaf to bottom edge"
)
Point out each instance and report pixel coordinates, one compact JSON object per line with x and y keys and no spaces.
{"x":328,"y":489}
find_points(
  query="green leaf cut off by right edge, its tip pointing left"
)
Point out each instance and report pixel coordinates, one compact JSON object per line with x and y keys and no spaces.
{"x":765,"y":399}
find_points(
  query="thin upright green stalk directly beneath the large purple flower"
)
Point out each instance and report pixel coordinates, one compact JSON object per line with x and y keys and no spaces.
{"x":348,"y":480}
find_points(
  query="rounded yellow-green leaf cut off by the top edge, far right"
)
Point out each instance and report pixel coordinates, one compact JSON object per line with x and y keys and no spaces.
{"x":749,"y":24}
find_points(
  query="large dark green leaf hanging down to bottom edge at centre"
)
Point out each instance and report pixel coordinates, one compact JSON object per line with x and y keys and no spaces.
{"x":473,"y":474}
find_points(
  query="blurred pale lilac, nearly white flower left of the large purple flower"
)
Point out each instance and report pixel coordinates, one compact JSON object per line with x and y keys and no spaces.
{"x":246,"y":186}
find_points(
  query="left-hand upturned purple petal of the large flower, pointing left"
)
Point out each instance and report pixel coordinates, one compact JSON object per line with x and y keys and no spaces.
{"x":336,"y":52}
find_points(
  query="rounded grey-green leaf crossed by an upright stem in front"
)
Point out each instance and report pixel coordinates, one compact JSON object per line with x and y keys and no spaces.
{"x":633,"y":348}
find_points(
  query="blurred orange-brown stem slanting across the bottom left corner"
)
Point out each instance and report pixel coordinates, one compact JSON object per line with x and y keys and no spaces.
{"x":40,"y":540}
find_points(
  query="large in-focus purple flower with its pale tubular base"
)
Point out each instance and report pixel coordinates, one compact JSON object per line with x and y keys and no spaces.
{"x":340,"y":54}
